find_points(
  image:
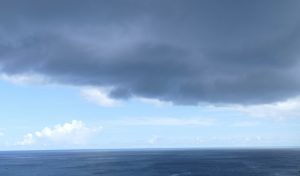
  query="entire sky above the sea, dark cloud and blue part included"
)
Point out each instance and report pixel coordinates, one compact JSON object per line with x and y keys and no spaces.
{"x":149,"y":74}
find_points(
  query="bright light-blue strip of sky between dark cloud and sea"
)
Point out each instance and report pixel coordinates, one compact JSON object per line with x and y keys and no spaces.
{"x":30,"y":108}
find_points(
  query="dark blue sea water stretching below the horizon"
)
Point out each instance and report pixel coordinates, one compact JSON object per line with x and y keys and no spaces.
{"x":279,"y":162}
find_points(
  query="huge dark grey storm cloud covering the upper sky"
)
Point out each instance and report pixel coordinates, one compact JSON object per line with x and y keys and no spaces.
{"x":181,"y":51}
